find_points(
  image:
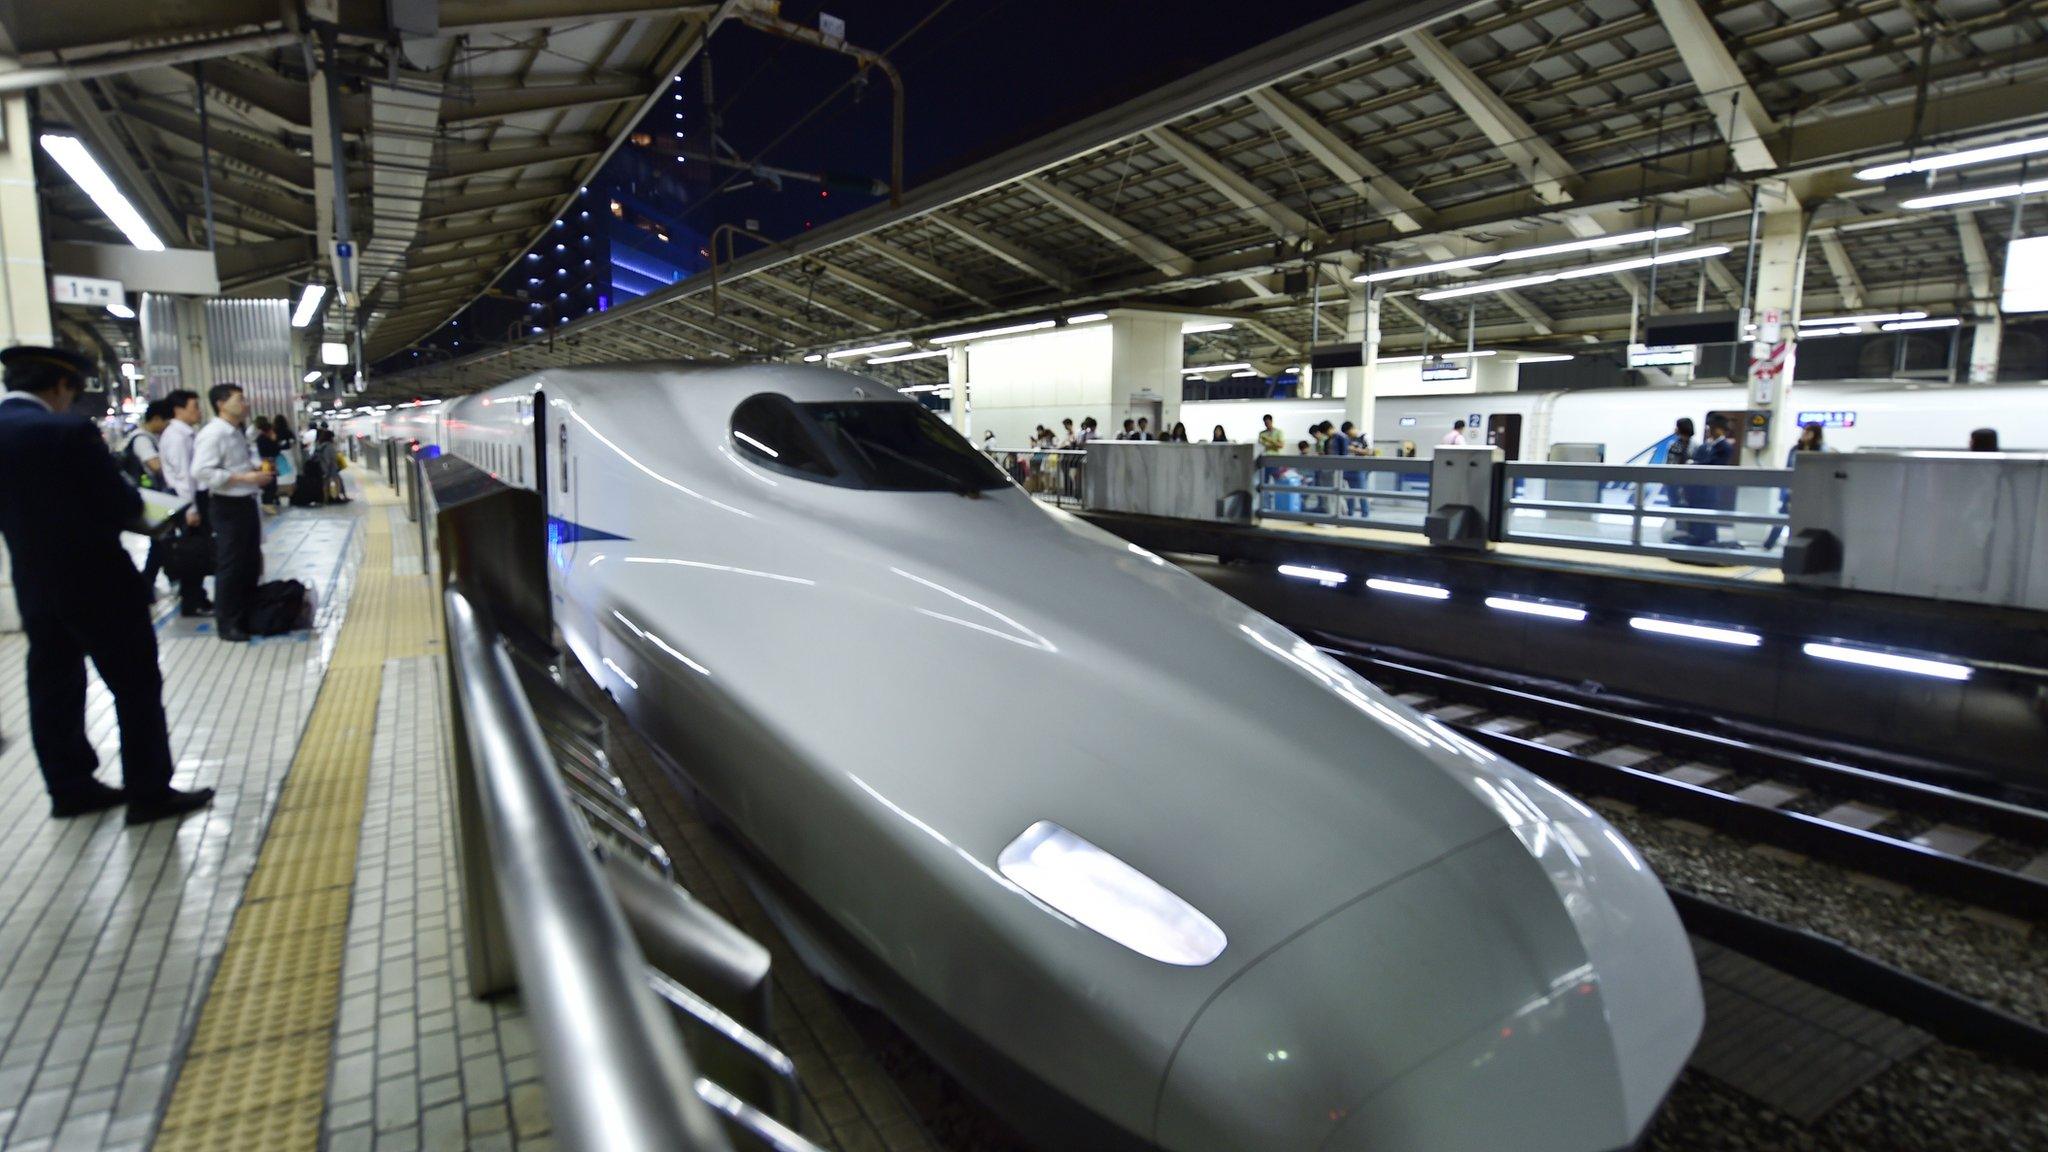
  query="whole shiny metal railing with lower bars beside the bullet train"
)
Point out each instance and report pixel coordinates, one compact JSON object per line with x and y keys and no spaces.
{"x":650,"y":1010}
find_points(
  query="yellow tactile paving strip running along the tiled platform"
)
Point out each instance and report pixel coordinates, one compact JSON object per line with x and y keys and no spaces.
{"x":257,"y":1071}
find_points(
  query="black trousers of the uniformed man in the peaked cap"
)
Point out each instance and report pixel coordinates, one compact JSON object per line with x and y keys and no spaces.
{"x":122,"y":645}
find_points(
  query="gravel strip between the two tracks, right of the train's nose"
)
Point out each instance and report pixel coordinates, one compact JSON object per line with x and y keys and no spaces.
{"x":1940,"y":940}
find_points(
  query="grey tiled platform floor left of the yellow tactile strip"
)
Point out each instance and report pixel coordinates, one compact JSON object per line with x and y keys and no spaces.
{"x":110,"y":934}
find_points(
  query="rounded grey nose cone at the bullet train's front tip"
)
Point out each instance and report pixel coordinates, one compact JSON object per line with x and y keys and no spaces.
{"x":1461,"y":1007}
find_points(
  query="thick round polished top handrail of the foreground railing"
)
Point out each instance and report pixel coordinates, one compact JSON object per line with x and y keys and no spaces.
{"x":615,"y":1071}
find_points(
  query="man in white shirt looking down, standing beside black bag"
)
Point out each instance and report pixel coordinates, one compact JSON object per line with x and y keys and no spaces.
{"x":226,"y":468}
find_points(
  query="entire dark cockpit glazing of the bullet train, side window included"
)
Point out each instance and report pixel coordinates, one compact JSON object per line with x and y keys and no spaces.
{"x":863,"y":444}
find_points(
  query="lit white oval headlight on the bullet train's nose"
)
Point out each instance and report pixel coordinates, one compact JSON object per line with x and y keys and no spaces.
{"x":1109,"y":897}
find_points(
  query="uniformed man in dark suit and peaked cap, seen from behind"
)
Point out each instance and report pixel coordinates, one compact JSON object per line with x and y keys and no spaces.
{"x":62,"y":509}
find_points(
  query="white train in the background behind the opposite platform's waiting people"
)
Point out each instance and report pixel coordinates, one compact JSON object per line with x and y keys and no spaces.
{"x":1627,"y":421}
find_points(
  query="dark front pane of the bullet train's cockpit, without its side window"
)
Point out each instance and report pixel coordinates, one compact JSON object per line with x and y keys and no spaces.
{"x":902,"y":448}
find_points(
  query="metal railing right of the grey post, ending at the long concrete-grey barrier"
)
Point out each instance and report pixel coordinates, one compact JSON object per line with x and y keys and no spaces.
{"x":1652,"y":509}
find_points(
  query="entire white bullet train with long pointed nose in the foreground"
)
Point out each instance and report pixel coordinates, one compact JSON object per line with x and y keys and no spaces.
{"x":1140,"y":866}
